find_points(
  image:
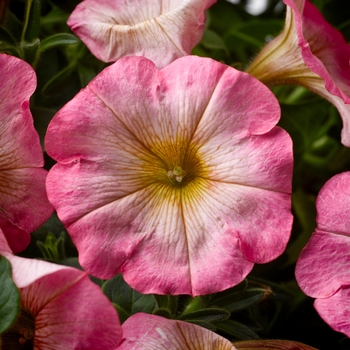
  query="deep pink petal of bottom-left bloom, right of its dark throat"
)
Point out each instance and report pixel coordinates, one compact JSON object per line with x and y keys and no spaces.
{"x":71,"y":312}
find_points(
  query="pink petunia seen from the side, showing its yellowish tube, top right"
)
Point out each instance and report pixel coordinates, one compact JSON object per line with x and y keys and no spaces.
{"x":311,"y":53}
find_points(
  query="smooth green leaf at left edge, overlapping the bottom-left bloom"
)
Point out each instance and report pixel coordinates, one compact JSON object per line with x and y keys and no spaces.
{"x":9,"y":296}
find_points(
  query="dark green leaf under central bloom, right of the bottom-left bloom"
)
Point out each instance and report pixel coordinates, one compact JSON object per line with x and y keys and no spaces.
{"x":127,"y":299}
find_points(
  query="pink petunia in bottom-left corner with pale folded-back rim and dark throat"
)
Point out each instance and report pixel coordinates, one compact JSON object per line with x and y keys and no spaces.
{"x":60,"y":308}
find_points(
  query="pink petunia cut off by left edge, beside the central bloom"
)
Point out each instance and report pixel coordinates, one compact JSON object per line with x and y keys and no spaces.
{"x":23,"y":201}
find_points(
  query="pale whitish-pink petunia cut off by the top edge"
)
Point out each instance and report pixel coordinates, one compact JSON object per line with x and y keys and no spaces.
{"x":158,"y":30}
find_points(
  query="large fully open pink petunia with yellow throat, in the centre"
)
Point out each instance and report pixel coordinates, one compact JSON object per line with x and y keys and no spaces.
{"x":178,"y":178}
